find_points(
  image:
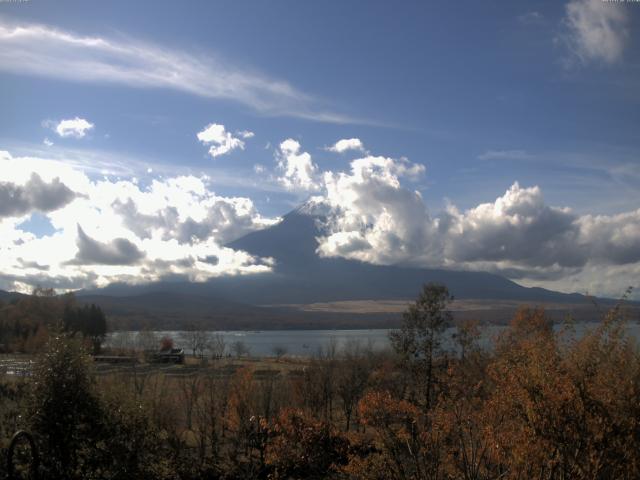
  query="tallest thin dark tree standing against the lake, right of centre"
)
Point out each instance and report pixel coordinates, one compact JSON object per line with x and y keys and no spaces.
{"x":418,"y":340}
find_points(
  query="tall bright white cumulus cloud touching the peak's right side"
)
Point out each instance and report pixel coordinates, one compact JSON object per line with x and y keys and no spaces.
{"x":373,"y":218}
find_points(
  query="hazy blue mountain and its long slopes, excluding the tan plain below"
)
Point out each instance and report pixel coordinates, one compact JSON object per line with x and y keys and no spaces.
{"x":300,"y":276}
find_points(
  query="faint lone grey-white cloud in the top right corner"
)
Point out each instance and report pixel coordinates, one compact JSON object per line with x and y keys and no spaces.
{"x":596,"y":30}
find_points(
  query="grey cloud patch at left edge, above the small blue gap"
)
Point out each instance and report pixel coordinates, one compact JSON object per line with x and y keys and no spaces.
{"x":17,"y":200}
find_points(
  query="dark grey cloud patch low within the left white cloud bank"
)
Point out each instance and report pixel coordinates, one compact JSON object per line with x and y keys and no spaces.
{"x":119,"y":251}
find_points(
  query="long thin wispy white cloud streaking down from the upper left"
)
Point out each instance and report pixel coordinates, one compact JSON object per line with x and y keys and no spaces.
{"x":42,"y":50}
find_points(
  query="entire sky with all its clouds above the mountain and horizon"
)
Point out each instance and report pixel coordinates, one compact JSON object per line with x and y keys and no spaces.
{"x":138,"y":138}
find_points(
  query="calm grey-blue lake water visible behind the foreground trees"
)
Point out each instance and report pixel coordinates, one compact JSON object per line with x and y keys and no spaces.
{"x":308,"y":342}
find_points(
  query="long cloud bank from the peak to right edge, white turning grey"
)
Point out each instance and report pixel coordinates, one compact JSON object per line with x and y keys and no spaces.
{"x":374,"y":218}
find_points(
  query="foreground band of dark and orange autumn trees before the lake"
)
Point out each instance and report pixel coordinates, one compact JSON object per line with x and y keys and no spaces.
{"x":543,"y":403}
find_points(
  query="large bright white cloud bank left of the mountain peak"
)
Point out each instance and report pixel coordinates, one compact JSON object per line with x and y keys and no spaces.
{"x":118,"y":230}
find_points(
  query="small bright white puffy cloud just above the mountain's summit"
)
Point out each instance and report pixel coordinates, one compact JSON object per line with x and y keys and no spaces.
{"x":298,"y":171}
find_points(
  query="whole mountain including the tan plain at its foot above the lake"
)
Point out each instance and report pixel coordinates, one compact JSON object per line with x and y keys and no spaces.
{"x":306,"y":291}
